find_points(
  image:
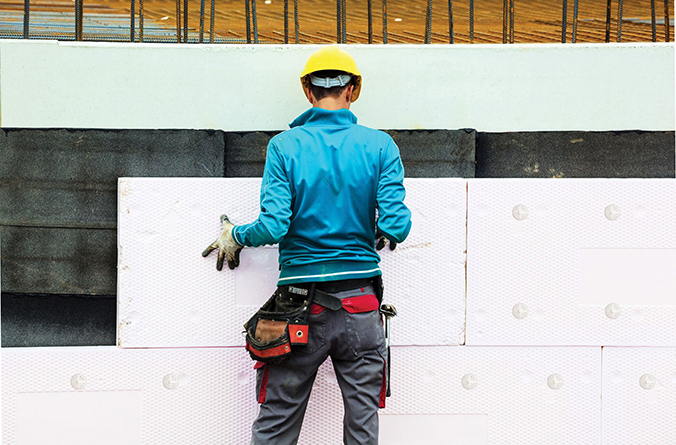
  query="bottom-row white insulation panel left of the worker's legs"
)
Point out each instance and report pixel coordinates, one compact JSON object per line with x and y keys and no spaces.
{"x":111,"y":396}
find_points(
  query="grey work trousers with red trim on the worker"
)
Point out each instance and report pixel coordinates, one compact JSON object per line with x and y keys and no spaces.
{"x":356,"y":344}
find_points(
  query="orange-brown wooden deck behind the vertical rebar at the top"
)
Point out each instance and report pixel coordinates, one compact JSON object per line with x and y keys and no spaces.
{"x":535,"y":21}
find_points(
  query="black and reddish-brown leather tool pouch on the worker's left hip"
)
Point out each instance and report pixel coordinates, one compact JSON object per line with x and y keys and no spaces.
{"x":279,"y":324}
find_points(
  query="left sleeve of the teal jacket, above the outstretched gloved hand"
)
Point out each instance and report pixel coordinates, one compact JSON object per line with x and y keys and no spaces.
{"x":275,"y":212}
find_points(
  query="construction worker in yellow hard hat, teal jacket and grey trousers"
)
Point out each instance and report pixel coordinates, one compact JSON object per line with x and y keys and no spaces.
{"x":323,"y":181}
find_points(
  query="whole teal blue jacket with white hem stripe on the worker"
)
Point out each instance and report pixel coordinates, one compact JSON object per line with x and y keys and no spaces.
{"x":323,"y":180}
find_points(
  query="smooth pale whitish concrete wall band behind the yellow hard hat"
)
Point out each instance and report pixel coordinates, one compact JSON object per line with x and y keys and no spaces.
{"x":492,"y":88}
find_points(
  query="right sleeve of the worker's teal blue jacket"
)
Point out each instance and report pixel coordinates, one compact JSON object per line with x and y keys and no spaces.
{"x":394,"y":218}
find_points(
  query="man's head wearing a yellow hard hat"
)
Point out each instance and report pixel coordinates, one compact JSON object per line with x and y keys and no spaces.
{"x":331,"y":78}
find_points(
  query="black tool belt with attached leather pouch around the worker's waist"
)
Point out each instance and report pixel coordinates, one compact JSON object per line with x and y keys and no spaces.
{"x":281,"y":323}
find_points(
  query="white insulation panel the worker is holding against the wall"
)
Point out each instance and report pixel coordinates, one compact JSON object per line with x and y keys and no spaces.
{"x":170,"y":296}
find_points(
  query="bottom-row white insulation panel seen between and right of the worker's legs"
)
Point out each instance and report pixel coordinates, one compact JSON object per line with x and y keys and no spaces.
{"x":510,"y":401}
